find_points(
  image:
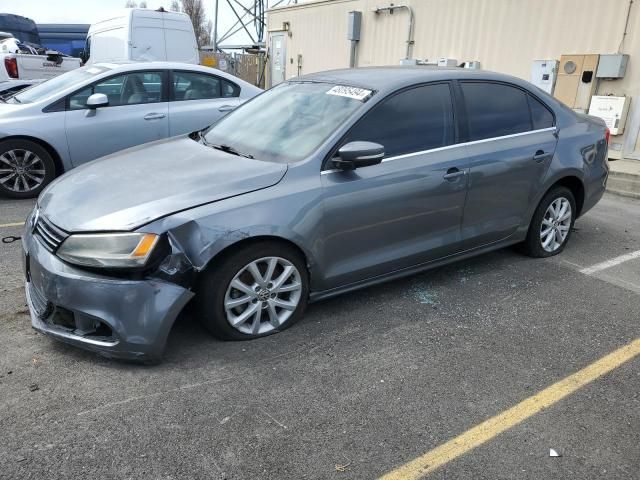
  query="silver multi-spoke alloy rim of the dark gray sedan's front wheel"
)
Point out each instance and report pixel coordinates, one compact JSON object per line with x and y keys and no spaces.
{"x":263,"y":295}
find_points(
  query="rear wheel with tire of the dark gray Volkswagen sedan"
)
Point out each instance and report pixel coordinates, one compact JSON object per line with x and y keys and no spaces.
{"x":552,"y":223}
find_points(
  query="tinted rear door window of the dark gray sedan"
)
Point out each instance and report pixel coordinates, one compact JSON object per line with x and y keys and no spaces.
{"x":495,"y":109}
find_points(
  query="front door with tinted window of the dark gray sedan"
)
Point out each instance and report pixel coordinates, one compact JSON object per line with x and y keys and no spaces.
{"x":406,"y":210}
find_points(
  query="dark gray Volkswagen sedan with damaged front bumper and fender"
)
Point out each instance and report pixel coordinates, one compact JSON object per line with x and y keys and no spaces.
{"x":324,"y":184}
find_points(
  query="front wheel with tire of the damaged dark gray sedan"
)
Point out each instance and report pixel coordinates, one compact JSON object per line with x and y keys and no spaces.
{"x":256,"y":291}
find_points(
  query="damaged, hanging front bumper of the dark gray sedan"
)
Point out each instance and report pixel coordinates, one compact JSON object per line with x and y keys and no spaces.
{"x":115,"y":317}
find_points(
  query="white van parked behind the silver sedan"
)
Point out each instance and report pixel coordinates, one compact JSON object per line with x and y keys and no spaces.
{"x":141,"y":34}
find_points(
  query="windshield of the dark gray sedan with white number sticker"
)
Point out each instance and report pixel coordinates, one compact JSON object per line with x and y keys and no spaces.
{"x":288,"y":122}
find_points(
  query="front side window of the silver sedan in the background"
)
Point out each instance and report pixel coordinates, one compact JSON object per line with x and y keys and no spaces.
{"x":129,"y":89}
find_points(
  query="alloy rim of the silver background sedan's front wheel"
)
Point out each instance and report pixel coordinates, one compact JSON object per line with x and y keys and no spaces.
{"x":21,"y":170}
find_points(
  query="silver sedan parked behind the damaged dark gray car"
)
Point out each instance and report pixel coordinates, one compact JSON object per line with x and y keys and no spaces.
{"x":96,"y":110}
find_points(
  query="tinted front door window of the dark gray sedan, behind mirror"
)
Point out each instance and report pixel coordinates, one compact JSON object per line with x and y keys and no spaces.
{"x":411,"y":121}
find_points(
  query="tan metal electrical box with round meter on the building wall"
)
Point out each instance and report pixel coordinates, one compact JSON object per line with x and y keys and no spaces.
{"x":576,"y":83}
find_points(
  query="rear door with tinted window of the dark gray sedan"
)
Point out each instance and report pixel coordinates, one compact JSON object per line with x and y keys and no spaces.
{"x":512,"y":139}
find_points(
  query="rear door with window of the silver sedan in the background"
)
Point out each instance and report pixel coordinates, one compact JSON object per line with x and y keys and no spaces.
{"x":199,"y":99}
